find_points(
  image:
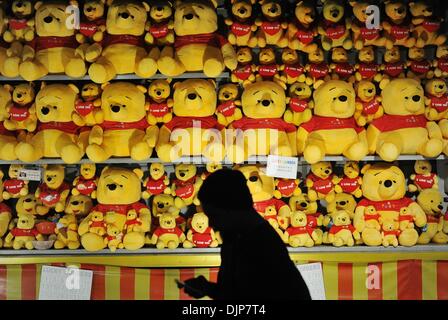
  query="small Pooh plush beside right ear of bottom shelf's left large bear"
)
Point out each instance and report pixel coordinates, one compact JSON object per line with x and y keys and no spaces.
{"x":158,"y":181}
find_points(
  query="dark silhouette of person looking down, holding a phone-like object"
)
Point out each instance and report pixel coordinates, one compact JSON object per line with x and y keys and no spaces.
{"x":255,"y":263}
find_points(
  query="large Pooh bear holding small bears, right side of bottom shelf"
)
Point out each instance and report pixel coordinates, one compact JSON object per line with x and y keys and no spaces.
{"x":384,"y":188}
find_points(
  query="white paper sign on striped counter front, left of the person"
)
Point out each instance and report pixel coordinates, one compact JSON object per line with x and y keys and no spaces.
{"x":57,"y":283}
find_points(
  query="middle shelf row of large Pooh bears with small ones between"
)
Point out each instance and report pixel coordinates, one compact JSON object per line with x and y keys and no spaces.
{"x":402,"y":120}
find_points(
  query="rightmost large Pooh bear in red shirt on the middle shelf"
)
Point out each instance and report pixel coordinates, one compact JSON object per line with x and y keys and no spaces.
{"x":403,"y":129}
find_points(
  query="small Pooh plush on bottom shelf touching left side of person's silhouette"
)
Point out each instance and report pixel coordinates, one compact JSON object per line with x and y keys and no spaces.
{"x":200,"y":234}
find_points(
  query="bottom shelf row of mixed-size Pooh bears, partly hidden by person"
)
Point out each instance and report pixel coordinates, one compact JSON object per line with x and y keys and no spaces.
{"x":67,"y":217}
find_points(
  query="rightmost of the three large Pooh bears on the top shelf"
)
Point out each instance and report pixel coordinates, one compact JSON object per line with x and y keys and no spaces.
{"x":198,"y":47}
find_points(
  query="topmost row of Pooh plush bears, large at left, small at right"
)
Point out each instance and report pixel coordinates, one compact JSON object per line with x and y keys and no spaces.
{"x":124,"y":39}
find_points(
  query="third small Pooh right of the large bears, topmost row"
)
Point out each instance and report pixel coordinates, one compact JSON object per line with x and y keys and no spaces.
{"x":302,"y":31}
